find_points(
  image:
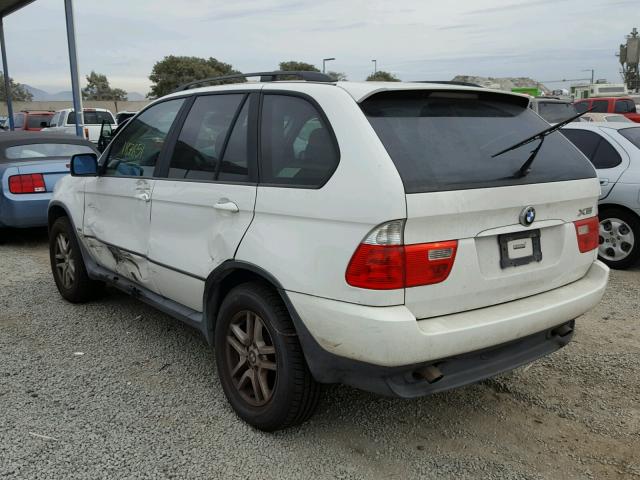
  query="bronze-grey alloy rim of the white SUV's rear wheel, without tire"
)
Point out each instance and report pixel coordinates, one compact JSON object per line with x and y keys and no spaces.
{"x":251,"y":358}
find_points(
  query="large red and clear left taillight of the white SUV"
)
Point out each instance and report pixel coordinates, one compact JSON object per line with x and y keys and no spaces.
{"x":383,"y":262}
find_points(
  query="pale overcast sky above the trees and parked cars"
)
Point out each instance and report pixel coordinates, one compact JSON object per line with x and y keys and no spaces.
{"x":414,"y":39}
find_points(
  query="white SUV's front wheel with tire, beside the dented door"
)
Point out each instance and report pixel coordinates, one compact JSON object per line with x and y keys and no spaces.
{"x":67,"y":265}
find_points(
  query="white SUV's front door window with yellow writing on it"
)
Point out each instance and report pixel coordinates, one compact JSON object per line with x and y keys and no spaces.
{"x":135,"y":151}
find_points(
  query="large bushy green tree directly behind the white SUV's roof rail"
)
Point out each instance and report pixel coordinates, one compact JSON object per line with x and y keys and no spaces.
{"x":173,"y":71}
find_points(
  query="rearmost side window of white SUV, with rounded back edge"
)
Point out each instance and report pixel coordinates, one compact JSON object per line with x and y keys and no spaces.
{"x":297,"y":147}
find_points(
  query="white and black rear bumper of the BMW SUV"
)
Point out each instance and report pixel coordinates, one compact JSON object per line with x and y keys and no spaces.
{"x":379,"y":348}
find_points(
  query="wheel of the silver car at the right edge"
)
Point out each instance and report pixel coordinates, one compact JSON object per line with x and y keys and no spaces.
{"x":619,"y":238}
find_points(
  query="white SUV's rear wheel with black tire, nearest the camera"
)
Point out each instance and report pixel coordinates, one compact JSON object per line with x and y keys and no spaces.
{"x":272,"y":357}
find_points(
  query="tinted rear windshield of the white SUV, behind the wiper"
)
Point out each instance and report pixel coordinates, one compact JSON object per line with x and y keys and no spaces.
{"x":442,"y":140}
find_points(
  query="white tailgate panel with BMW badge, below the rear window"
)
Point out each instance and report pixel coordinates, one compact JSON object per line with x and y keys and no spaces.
{"x":478,"y":218}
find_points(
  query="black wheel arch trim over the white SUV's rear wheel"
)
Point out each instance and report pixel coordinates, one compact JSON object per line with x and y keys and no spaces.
{"x":223,"y":279}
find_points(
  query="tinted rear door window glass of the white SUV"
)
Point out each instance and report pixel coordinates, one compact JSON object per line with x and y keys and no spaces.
{"x":206,"y":135}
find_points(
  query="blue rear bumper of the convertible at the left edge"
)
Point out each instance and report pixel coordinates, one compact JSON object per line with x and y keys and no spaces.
{"x":30,"y":210}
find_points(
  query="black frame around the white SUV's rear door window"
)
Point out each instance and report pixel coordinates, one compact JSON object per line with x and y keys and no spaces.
{"x":251,"y":96}
